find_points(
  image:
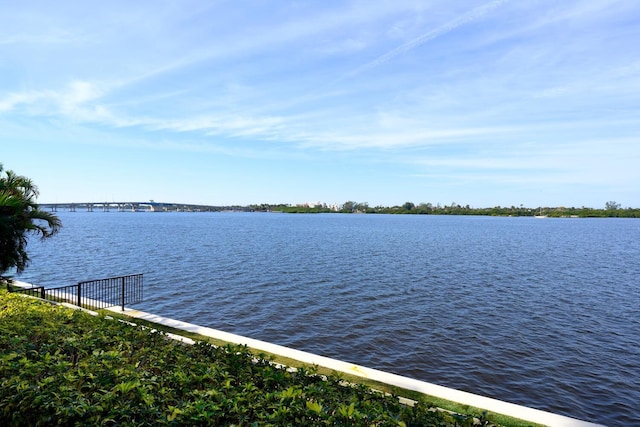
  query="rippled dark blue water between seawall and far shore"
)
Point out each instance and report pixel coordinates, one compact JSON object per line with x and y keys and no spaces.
{"x":542,"y":313}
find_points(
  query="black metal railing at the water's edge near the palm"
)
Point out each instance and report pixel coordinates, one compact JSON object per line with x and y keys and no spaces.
{"x":94,"y":294}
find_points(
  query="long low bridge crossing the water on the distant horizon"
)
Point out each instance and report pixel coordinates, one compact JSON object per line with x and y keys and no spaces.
{"x":149,"y":206}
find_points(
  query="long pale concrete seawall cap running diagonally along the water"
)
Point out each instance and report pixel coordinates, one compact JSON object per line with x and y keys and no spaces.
{"x":492,"y":405}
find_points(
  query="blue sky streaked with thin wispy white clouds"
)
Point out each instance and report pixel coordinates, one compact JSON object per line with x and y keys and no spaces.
{"x":225,"y":102}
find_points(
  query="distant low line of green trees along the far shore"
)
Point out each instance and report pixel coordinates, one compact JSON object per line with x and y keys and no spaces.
{"x":611,"y":210}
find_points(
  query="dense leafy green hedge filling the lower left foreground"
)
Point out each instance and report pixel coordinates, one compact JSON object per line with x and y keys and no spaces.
{"x":60,"y":366}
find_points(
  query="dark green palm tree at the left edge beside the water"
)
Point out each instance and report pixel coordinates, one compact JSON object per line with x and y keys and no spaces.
{"x":19,"y":217}
